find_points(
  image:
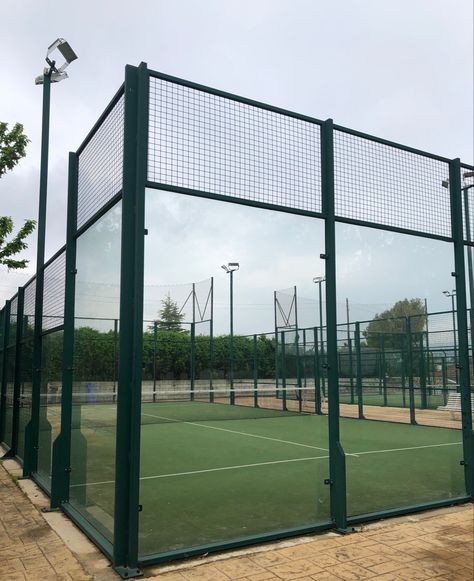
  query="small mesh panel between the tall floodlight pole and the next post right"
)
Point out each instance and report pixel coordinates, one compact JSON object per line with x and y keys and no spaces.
{"x":54,"y":288}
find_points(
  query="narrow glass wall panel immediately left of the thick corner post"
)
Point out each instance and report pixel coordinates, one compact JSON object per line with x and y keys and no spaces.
{"x":95,"y":371}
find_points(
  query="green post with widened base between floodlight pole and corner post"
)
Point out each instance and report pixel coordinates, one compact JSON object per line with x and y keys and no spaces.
{"x":61,"y":461}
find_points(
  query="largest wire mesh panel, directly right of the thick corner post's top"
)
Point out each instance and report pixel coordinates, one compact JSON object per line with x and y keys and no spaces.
{"x":213,"y":144}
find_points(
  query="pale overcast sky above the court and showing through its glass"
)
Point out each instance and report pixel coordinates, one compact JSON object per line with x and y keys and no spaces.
{"x":402,"y":70}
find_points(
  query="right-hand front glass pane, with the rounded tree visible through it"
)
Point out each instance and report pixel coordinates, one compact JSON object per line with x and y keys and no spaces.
{"x":403,"y":447}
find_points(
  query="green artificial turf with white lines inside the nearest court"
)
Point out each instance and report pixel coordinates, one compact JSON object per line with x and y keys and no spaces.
{"x":212,"y":473}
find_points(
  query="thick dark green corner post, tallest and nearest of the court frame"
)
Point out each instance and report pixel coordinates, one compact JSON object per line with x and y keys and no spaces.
{"x":127,"y":454}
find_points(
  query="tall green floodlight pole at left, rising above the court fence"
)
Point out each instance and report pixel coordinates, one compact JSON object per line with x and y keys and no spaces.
{"x":51,"y":74}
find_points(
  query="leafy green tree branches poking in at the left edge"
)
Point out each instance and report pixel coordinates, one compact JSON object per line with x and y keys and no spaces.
{"x":12,"y":148}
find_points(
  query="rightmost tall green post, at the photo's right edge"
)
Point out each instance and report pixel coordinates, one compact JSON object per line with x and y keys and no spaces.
{"x":463,"y":342}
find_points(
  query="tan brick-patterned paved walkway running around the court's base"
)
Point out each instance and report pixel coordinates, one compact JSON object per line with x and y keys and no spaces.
{"x":432,"y":545}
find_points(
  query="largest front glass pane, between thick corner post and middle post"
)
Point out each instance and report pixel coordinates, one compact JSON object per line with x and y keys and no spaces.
{"x":231,"y":445}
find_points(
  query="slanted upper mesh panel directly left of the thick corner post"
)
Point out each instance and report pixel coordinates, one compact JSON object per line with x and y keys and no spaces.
{"x":100,"y":165}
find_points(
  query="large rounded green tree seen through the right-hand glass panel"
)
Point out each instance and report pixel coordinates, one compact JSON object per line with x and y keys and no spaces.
{"x":391,"y":324}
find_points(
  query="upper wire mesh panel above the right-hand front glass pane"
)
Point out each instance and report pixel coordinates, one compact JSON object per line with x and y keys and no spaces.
{"x":381,"y":184}
